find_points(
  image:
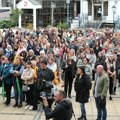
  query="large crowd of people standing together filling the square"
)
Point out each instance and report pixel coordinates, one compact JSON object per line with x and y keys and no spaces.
{"x":31,"y":58}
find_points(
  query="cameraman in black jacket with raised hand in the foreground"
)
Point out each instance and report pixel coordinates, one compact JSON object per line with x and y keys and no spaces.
{"x":63,"y":109}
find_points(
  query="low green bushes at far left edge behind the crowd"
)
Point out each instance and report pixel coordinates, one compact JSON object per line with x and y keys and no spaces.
{"x":7,"y":24}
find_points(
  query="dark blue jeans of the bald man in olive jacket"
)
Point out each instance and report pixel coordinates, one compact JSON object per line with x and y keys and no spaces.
{"x":101,"y":109}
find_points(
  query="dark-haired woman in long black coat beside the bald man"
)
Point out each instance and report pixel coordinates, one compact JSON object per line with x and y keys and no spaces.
{"x":82,"y":88}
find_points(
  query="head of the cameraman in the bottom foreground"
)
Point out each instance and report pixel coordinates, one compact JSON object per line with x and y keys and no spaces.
{"x":59,"y":96}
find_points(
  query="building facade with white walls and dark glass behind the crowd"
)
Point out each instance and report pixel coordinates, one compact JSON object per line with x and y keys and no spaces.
{"x":55,"y":11}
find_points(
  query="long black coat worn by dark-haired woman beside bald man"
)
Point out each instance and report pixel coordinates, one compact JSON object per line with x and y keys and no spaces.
{"x":82,"y":88}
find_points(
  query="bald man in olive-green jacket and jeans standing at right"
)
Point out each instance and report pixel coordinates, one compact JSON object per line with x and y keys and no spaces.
{"x":100,"y":92}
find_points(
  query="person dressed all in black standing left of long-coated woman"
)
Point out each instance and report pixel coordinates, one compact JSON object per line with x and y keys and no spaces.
{"x":69,"y":68}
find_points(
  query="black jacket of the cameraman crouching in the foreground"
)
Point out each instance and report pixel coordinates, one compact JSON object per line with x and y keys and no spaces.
{"x":62,"y":111}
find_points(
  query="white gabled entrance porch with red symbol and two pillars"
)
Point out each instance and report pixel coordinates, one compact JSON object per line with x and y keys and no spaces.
{"x":29,"y":16}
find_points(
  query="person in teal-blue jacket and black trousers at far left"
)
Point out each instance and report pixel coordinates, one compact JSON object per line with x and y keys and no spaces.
{"x":5,"y":77}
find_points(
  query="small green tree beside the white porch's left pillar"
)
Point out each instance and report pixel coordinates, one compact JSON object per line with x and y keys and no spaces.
{"x":15,"y":15}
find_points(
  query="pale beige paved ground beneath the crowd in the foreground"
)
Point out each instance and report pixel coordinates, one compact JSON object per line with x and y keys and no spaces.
{"x":10,"y":113}
